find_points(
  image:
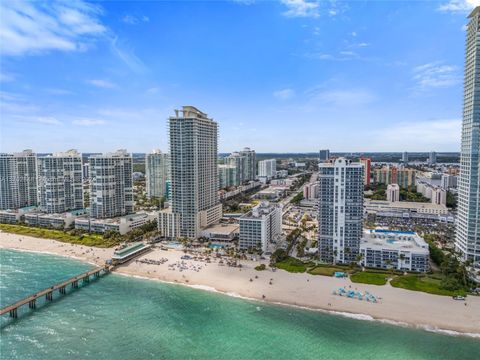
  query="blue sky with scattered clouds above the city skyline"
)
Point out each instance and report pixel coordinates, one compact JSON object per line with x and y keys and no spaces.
{"x":278,"y":76}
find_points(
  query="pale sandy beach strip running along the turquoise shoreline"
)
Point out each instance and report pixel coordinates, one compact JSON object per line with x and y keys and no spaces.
{"x":416,"y":309}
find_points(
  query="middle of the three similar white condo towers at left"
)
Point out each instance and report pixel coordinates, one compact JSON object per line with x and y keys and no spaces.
{"x":60,"y":186}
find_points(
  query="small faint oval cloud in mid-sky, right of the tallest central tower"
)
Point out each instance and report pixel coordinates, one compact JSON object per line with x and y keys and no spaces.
{"x":342,"y":98}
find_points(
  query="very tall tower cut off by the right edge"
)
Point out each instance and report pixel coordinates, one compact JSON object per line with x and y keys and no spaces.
{"x":467,"y":240}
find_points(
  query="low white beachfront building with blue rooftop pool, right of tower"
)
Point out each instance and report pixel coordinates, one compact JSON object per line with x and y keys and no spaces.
{"x":402,"y":250}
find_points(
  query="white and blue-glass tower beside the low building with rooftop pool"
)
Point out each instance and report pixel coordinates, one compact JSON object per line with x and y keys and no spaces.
{"x":340,"y":217}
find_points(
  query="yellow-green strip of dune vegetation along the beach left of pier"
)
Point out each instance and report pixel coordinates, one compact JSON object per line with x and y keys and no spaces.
{"x":87,"y":239}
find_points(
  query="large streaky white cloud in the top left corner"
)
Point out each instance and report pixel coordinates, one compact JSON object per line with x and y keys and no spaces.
{"x":34,"y":27}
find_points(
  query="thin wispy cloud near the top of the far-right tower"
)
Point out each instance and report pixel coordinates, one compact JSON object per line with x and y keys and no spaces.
{"x":435,"y":75}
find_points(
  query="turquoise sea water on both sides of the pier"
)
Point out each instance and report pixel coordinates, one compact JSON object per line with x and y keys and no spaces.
{"x":125,"y":318}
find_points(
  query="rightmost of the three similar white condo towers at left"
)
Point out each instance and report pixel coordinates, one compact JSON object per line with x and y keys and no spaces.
{"x":111,"y":185}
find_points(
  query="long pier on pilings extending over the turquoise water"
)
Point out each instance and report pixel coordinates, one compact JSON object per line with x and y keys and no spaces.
{"x":48,"y":293}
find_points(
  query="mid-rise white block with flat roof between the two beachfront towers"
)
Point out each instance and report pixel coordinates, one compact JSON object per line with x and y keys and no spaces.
{"x":260,"y":226}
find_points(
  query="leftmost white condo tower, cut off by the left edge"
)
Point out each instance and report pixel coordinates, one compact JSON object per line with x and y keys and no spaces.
{"x":18,"y":180}
